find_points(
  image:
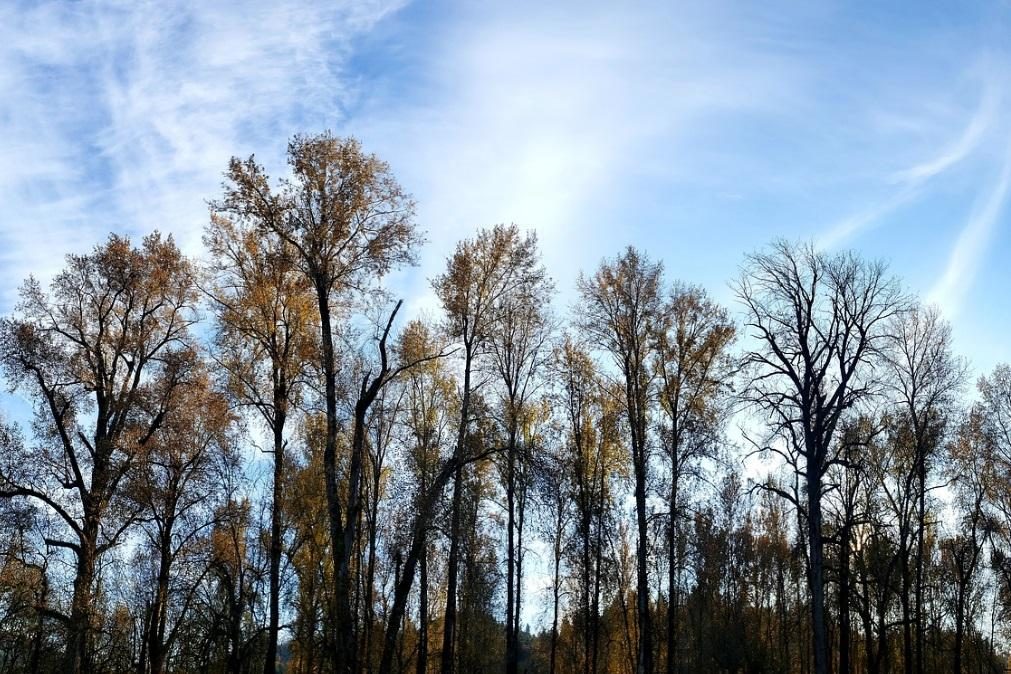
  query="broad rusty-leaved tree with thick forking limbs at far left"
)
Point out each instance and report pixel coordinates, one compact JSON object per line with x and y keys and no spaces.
{"x":103,"y":357}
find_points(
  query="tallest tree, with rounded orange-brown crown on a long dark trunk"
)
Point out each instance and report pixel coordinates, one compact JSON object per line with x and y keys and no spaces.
{"x":349,"y":223}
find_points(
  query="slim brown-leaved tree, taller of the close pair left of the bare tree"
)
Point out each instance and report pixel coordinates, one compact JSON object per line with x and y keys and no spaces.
{"x":621,"y":308}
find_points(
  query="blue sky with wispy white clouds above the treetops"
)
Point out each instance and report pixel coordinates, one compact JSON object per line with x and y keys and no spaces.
{"x":697,"y":132}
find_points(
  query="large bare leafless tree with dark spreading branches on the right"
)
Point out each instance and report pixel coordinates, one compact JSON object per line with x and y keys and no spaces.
{"x":819,"y":323}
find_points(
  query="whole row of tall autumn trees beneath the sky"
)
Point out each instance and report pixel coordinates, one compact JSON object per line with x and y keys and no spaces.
{"x":252,"y":461}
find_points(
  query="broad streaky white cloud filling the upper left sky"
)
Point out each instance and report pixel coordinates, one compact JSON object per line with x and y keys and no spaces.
{"x":123,"y":117}
